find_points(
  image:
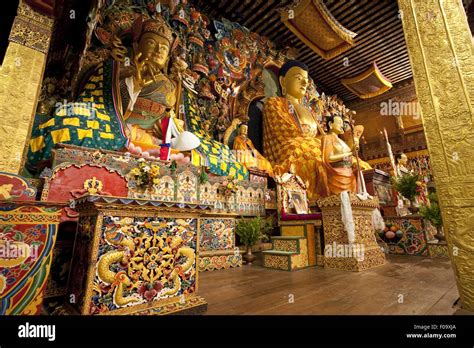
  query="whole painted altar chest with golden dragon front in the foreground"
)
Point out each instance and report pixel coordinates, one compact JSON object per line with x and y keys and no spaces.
{"x":135,"y":256}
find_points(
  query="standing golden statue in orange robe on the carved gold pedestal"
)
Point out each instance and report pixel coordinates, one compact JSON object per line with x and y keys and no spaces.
{"x":337,"y":158}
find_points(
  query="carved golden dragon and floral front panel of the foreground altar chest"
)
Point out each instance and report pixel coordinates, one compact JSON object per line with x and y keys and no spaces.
{"x":143,"y":260}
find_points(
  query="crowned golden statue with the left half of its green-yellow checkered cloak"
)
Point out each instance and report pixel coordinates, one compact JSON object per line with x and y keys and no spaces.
{"x":125,"y":103}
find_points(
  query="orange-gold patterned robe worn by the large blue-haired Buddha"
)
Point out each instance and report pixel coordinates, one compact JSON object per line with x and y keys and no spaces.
{"x":285,"y":143}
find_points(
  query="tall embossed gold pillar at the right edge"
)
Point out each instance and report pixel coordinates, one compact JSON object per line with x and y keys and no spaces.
{"x":441,"y":53}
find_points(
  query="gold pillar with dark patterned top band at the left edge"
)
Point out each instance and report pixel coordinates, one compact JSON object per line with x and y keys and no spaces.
{"x":21,"y":75}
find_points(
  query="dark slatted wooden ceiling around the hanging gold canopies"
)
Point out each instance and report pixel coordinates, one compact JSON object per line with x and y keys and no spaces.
{"x":377,"y":23}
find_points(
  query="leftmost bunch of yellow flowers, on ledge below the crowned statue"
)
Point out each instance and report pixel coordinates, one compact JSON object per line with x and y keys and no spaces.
{"x":146,"y":177}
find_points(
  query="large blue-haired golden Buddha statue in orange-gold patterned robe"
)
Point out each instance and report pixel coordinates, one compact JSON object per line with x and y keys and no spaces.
{"x":291,"y":131}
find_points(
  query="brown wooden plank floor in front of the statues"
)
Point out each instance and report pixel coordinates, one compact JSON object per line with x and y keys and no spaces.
{"x":405,"y":285}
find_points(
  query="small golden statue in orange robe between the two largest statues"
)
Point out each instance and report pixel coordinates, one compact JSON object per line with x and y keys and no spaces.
{"x":247,"y":154}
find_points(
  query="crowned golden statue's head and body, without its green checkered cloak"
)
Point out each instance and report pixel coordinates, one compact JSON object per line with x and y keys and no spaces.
{"x":151,"y":94}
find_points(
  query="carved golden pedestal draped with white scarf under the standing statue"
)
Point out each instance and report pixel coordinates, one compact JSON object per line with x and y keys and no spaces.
{"x":363,"y":253}
